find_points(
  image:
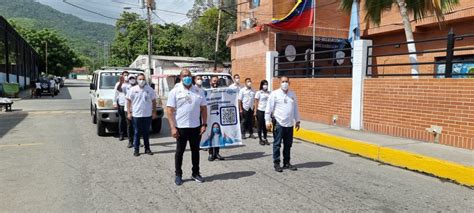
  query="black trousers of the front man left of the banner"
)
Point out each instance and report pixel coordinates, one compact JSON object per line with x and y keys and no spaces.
{"x":185,"y":135}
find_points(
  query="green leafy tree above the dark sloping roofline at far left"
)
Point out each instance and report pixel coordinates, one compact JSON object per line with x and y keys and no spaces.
{"x":61,"y":58}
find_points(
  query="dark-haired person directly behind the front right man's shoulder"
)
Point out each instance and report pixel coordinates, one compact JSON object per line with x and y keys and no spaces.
{"x":261,"y":99}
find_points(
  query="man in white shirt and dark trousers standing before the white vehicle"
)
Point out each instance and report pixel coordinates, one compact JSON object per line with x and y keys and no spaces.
{"x":141,"y":109}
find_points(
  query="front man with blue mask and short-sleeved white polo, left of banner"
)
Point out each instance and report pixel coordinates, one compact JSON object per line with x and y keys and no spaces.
{"x":185,"y":104}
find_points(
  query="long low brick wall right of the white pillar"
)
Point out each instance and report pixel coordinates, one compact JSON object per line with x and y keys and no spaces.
{"x":406,"y":107}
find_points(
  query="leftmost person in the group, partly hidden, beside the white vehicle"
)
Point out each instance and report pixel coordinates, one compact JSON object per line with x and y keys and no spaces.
{"x":119,"y":103}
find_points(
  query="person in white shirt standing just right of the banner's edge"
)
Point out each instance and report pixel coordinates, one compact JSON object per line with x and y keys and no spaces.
{"x":246,"y":103}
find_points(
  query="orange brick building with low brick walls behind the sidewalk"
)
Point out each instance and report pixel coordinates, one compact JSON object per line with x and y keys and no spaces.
{"x":398,"y":106}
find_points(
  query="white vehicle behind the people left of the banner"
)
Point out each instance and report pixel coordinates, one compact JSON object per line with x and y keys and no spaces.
{"x":101,"y":100}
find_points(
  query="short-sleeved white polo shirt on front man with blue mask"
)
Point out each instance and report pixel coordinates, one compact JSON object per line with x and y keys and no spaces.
{"x":187,"y":103}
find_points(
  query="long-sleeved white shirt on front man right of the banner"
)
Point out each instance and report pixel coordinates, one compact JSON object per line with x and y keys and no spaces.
{"x":284,"y":107}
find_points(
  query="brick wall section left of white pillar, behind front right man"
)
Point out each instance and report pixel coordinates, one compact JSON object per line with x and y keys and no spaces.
{"x":321,"y":98}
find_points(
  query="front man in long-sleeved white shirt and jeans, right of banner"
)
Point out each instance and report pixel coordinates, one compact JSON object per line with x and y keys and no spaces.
{"x":282,"y":104}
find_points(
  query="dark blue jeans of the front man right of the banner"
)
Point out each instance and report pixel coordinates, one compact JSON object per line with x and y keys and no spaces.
{"x":284,"y":134}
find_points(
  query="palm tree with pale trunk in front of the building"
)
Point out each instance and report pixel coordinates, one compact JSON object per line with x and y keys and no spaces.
{"x":419,"y":8}
